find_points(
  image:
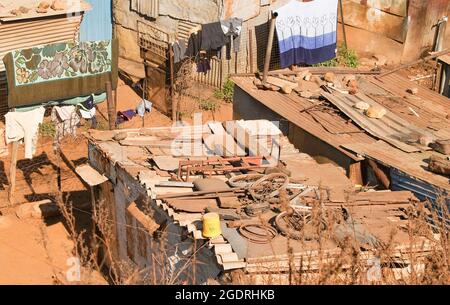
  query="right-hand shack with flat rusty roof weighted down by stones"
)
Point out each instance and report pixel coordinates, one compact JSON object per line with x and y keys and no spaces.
{"x":332,"y":130}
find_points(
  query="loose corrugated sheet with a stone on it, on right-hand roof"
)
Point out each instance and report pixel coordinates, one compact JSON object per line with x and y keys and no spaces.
{"x":389,"y":128}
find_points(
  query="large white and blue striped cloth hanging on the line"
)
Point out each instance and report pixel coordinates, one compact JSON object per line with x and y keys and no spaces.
{"x":307,"y":32}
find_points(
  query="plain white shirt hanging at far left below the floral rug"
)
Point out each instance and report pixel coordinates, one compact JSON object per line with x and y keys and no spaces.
{"x":24,"y":125}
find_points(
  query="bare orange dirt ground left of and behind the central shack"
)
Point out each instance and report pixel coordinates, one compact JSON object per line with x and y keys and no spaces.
{"x":35,"y":251}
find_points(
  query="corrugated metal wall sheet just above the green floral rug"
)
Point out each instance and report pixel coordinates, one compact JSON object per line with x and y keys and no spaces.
{"x":29,"y":33}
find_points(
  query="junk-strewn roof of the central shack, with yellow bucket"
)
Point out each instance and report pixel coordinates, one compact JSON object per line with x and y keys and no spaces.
{"x":248,"y":206}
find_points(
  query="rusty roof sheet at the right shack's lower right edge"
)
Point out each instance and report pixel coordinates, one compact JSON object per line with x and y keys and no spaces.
{"x":411,"y":164}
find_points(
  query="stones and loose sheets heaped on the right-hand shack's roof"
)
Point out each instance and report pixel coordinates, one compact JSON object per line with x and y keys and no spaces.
{"x":353,"y":93}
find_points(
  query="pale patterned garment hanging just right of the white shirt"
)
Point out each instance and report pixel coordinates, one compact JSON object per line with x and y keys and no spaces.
{"x":66,"y":122}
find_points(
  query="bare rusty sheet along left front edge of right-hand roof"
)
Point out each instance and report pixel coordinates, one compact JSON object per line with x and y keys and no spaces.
{"x":289,"y":107}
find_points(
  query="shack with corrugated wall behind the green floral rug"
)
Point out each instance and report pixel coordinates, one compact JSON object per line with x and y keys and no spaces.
{"x":29,"y":28}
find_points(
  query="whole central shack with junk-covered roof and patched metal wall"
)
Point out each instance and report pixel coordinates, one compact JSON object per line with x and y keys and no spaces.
{"x":140,"y":171}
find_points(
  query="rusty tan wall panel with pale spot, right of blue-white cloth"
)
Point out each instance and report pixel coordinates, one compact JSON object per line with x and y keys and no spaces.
{"x":375,"y":20}
